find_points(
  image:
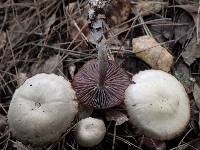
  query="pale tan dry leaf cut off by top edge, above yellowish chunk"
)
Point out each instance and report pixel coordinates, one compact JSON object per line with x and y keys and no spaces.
{"x":146,"y":7}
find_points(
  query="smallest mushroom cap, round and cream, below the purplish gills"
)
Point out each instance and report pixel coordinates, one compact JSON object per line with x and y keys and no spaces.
{"x":90,"y":132}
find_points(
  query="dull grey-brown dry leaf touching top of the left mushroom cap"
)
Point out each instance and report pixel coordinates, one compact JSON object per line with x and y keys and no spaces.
{"x":51,"y":65}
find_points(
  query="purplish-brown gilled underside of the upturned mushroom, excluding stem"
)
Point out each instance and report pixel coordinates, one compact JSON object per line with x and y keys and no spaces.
{"x":89,"y":93}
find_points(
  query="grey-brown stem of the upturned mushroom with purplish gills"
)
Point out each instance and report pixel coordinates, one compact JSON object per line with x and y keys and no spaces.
{"x":103,"y":66}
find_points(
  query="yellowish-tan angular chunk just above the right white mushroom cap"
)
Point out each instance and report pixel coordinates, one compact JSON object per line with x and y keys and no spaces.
{"x":150,"y":51}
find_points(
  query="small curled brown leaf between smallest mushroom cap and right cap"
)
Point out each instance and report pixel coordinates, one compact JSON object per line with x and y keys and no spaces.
{"x":117,"y":116}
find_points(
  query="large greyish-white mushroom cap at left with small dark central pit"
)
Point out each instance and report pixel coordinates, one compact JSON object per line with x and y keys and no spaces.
{"x":42,"y":109}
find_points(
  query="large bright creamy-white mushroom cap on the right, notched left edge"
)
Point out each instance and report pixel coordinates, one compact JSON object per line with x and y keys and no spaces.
{"x":157,"y":104}
